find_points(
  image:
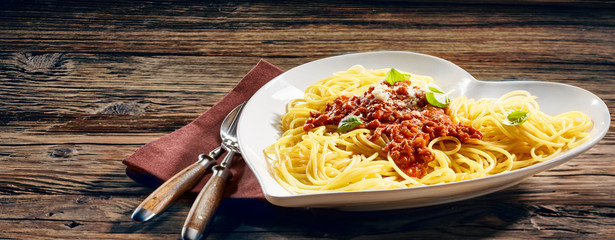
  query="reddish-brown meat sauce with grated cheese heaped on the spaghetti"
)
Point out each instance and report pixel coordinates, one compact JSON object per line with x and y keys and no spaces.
{"x":402,"y":113}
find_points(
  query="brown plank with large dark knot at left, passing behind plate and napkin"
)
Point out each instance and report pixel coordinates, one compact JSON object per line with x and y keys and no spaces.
{"x":165,"y":86}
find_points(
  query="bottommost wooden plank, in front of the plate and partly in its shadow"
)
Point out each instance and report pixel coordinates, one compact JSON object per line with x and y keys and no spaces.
{"x":63,"y":216}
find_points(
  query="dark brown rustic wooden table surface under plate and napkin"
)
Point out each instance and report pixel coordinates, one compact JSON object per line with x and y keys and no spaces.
{"x":83,"y":84}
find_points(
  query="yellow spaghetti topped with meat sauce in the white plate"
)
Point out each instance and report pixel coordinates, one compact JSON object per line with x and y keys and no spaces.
{"x":312,"y":157}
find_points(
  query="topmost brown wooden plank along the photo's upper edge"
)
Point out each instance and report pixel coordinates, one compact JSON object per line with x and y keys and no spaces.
{"x":315,"y":30}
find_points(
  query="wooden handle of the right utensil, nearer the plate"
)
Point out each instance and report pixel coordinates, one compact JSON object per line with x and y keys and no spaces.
{"x":204,"y":207}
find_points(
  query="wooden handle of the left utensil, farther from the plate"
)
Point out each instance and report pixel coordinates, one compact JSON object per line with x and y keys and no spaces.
{"x":172,"y":189}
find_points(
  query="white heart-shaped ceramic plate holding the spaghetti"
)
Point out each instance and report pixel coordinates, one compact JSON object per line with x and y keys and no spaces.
{"x":259,"y":127}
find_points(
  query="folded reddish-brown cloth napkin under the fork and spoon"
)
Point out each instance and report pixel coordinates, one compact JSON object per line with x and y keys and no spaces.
{"x":157,"y":161}
